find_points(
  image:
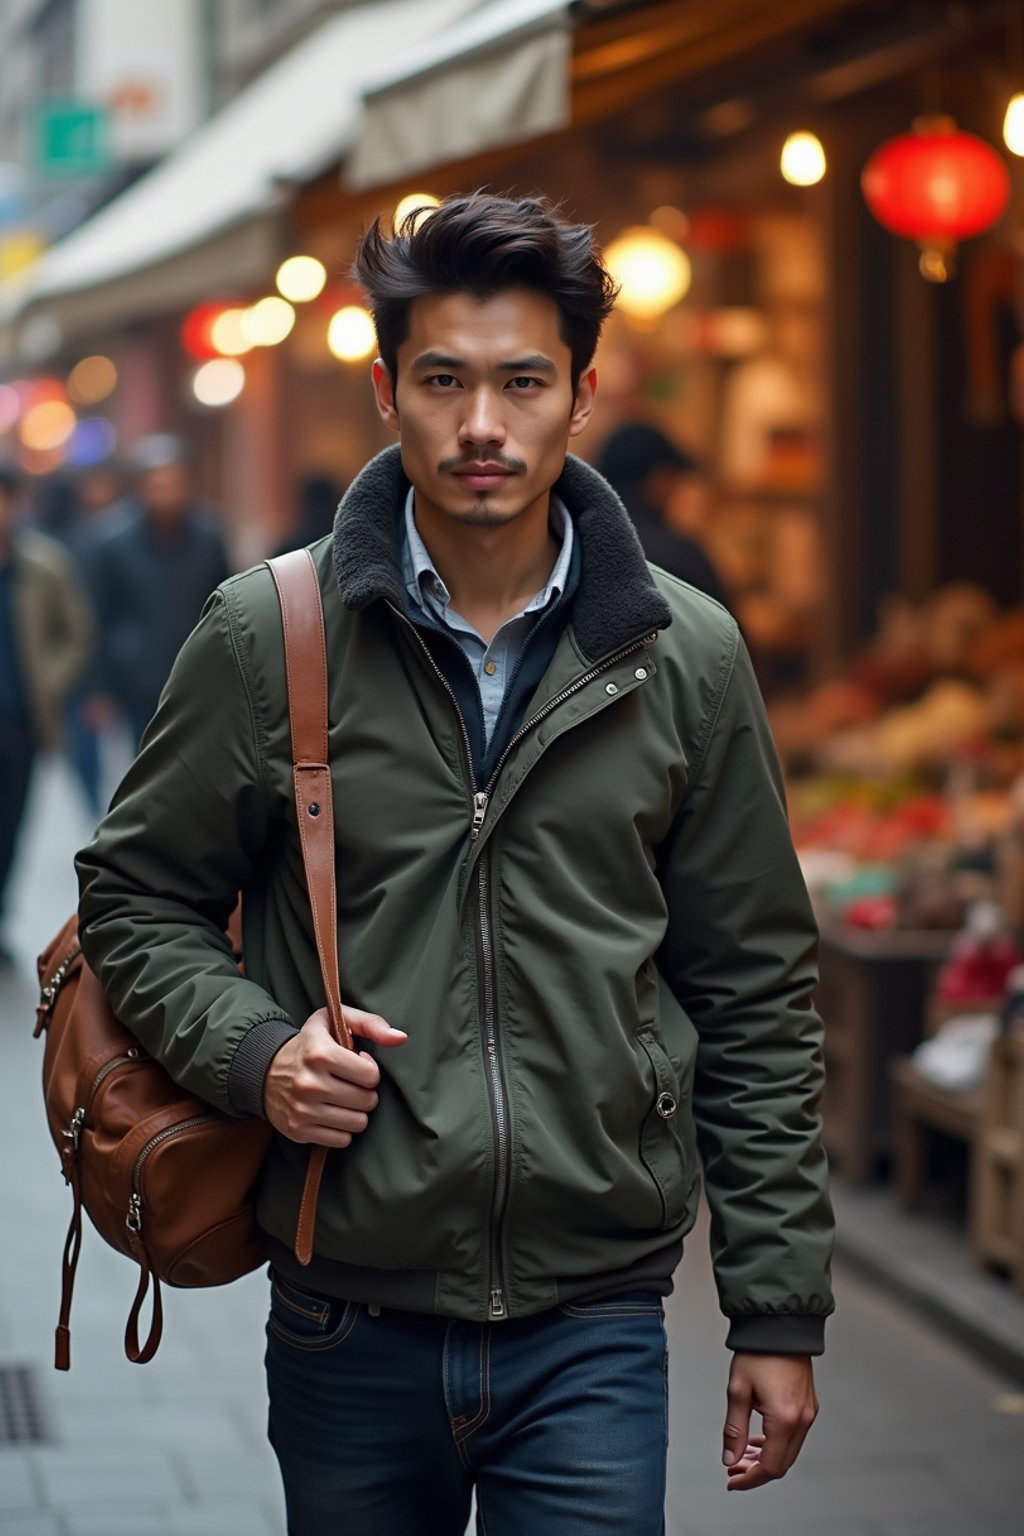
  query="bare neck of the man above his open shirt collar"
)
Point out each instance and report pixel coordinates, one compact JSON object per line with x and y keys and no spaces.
{"x":492,"y":574}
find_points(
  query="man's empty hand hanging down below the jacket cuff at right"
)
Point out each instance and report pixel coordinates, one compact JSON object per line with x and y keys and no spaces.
{"x":781,"y":1388}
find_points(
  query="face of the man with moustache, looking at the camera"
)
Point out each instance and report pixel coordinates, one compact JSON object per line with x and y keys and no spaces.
{"x":484,"y":403}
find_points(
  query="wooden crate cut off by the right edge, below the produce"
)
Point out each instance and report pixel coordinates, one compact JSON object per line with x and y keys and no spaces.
{"x":997,"y":1194}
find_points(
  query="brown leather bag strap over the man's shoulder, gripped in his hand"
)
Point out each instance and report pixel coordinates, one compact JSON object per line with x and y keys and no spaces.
{"x":306,"y":672}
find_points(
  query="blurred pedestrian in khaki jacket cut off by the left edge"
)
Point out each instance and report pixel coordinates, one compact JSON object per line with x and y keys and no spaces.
{"x":45,"y":643}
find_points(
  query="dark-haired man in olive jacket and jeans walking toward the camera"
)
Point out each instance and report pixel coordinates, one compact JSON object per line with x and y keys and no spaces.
{"x":572,"y":932}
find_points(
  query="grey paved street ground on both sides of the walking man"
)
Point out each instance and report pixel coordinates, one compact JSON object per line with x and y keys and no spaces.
{"x":916,"y":1437}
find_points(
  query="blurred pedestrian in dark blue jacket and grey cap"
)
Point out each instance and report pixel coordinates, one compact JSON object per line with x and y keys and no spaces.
{"x":153,"y":566}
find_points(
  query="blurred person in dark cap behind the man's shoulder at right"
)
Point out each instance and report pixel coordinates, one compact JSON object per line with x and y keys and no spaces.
{"x":649,"y":472}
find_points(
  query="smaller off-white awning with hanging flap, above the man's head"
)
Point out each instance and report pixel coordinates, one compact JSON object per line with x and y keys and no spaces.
{"x":495,"y":78}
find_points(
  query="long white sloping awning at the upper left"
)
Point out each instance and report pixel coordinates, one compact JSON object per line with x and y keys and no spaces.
{"x":236,"y":171}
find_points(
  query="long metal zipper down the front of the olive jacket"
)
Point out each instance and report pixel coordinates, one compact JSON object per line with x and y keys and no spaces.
{"x":486,"y":947}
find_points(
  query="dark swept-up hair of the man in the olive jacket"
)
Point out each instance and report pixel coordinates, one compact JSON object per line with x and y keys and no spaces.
{"x":483,"y":245}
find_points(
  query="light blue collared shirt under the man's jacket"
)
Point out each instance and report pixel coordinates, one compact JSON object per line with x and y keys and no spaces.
{"x":492,"y":664}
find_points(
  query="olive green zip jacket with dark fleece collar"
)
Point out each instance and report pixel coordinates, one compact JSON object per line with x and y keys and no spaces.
{"x":604,"y":959}
